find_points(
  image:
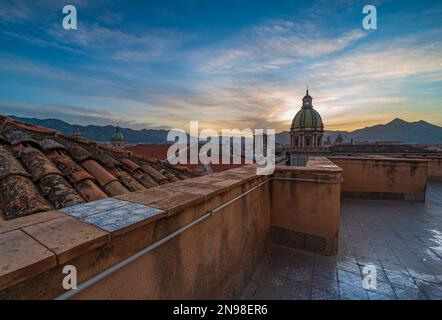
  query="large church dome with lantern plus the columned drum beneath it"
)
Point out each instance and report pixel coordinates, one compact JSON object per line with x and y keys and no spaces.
{"x":307,"y":128}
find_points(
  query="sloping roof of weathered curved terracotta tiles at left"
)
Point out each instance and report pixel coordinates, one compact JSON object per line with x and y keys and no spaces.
{"x":42,"y":169}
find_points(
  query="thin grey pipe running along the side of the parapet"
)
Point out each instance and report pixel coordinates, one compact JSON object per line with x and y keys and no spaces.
{"x":90,"y":282}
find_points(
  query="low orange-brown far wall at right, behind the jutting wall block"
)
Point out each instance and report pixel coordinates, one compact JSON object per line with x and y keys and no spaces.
{"x":383,"y":178}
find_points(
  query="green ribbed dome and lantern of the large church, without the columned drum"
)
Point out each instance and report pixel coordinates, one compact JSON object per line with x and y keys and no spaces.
{"x":307,"y":118}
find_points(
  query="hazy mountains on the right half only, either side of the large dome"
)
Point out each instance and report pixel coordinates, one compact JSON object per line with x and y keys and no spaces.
{"x":398,"y":130}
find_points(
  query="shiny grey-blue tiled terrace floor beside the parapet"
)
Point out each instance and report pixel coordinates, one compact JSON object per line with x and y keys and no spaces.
{"x":402,"y":240}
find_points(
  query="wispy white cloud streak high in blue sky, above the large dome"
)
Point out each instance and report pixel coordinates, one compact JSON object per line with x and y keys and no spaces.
{"x":272,"y":46}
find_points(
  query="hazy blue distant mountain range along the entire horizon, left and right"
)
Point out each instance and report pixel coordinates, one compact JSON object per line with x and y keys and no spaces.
{"x":419,"y":132}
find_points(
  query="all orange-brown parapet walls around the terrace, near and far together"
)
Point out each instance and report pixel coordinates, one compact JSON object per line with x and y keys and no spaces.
{"x":214,"y":258}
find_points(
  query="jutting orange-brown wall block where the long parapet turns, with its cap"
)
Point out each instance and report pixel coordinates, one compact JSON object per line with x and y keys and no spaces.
{"x":305,"y":205}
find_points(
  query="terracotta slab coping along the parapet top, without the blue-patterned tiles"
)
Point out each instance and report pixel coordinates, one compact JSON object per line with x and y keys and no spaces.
{"x":35,"y":244}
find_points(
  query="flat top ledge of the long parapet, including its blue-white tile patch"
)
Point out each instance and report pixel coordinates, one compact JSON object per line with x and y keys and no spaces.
{"x":32,"y":247}
